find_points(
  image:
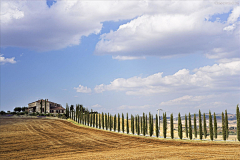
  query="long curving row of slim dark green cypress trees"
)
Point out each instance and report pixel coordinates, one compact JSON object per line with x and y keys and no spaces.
{"x":144,"y":125}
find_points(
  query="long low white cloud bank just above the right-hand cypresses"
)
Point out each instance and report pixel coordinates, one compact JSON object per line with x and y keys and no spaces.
{"x":222,"y":76}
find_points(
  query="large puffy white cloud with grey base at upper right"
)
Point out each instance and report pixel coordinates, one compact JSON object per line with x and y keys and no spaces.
{"x":169,"y":33}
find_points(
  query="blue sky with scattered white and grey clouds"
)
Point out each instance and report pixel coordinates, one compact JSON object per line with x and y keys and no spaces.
{"x":121,"y":56}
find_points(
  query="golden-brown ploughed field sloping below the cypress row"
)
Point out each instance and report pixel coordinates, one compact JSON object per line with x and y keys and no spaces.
{"x":25,"y":138}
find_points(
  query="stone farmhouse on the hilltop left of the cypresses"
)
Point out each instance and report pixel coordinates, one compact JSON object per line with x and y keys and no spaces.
{"x":51,"y":107}
